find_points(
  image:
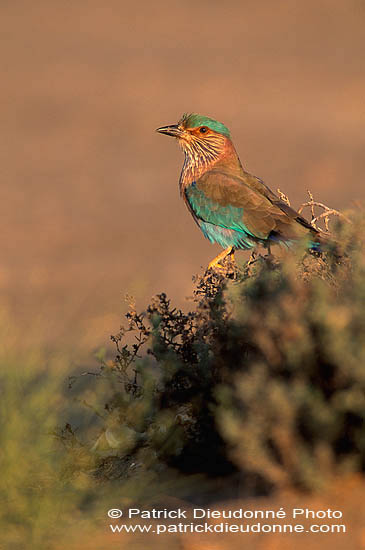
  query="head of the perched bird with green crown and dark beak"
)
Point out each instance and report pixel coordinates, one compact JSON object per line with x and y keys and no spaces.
{"x":200,"y":137}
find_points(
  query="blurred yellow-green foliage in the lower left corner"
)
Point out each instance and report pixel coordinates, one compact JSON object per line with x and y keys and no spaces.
{"x":42,"y":506}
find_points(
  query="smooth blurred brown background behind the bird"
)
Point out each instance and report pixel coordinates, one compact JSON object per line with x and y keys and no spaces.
{"x":90,"y":207}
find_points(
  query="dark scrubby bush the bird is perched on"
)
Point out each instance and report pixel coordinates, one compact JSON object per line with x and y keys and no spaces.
{"x":264,"y":377}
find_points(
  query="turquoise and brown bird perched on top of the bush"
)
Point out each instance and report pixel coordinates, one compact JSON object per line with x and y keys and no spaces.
{"x":232,"y":207}
